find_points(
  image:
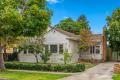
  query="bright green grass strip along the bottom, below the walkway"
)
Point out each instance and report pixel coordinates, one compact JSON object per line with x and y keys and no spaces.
{"x":12,"y":75}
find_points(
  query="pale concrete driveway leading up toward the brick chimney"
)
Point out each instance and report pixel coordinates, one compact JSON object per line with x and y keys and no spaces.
{"x":103,"y":71}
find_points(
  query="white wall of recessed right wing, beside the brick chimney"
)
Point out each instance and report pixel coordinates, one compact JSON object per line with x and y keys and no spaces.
{"x":87,"y":55}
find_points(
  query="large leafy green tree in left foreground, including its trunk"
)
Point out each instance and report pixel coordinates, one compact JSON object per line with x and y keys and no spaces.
{"x":21,"y":18}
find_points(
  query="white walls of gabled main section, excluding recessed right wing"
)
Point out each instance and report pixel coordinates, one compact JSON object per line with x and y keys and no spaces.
{"x":51,"y":38}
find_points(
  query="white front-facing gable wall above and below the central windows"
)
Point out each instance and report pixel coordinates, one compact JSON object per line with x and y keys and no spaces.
{"x":55,"y":37}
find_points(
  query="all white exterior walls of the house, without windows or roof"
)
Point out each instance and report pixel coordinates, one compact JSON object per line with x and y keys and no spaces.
{"x":54,"y":37}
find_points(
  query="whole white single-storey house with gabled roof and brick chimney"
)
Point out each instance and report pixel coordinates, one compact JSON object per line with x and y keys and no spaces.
{"x":57,"y":41}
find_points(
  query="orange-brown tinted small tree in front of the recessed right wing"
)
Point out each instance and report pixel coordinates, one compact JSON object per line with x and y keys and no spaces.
{"x":86,"y":41}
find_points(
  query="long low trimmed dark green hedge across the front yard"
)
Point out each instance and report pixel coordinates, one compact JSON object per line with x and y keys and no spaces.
{"x":46,"y":67}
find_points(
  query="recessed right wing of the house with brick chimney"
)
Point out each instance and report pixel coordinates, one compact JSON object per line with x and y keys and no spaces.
{"x":97,"y":51}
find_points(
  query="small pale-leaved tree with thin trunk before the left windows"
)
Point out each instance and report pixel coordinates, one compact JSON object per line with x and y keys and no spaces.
{"x":35,"y":45}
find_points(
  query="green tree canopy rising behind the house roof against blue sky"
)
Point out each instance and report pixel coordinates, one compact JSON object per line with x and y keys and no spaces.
{"x":73,"y":26}
